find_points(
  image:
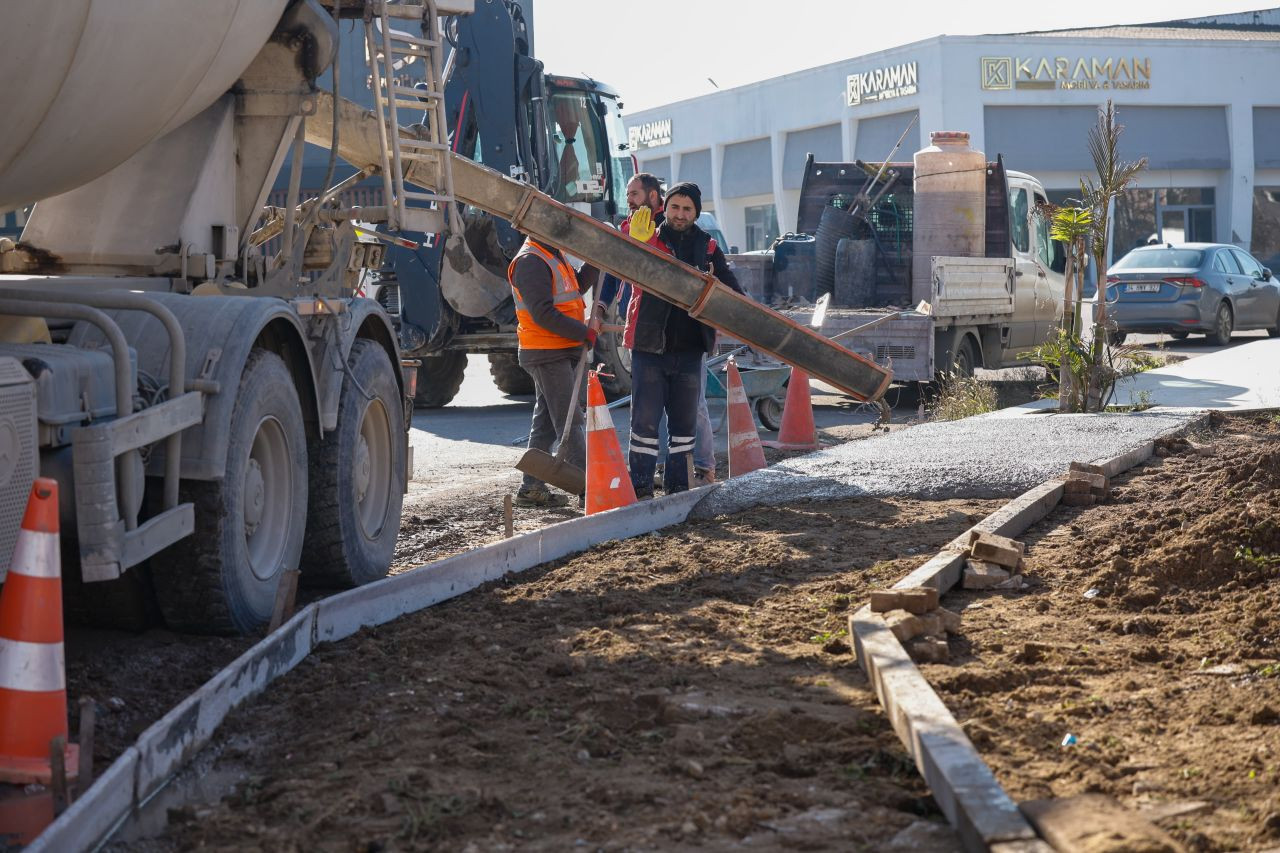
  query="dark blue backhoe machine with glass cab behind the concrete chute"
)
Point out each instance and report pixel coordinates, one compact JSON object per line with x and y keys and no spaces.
{"x":565,"y":136}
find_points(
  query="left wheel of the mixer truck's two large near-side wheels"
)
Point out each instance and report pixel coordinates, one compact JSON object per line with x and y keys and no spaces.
{"x":249,"y":526}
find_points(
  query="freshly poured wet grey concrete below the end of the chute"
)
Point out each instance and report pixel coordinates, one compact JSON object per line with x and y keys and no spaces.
{"x":980,"y":458}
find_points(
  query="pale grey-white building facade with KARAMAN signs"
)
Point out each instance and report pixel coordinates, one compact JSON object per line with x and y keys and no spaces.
{"x":1199,"y":99}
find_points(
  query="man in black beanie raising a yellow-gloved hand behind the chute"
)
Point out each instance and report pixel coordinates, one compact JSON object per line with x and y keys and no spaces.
{"x":669,"y":348}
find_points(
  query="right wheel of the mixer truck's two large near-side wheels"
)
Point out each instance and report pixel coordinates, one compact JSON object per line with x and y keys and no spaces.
{"x":358,"y":477}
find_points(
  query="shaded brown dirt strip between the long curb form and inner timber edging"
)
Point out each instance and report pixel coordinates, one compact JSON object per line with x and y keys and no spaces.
{"x":689,"y":688}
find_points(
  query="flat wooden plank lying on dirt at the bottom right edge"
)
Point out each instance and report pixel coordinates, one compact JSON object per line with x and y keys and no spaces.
{"x":1096,"y":824}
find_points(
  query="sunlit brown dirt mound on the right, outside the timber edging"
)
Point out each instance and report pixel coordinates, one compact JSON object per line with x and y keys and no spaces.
{"x":1153,"y":636}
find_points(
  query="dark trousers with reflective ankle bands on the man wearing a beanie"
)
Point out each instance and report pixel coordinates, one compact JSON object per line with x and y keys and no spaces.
{"x":660,"y":384}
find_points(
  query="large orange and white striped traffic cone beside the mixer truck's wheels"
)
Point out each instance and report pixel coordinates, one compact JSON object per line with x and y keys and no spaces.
{"x":33,"y":678}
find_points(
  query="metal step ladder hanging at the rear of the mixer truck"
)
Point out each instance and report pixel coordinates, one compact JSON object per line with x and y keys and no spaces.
{"x":388,"y":51}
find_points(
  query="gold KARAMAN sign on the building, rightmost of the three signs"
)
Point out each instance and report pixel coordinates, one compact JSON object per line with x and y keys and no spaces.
{"x":1066,"y":74}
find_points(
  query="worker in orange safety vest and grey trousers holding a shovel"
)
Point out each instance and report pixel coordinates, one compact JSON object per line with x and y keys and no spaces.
{"x":552,"y":327}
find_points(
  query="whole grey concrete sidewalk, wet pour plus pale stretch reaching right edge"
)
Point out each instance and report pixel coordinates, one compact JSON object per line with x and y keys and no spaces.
{"x":1007,"y":453}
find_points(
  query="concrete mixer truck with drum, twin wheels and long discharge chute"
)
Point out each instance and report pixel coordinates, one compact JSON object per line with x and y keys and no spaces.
{"x":193,"y":367}
